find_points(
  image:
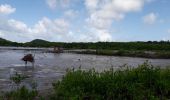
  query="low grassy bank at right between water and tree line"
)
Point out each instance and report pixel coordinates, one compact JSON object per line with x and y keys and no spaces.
{"x":127,"y":53}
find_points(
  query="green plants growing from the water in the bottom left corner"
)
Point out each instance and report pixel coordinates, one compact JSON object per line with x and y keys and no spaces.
{"x":21,"y":93}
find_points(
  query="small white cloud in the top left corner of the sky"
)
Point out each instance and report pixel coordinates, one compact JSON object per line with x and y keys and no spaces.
{"x":6,"y":9}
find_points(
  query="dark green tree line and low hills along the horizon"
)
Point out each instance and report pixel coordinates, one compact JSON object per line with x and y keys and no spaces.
{"x":150,"y":45}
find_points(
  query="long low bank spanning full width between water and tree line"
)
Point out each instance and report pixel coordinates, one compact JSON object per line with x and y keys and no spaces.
{"x":154,"y":54}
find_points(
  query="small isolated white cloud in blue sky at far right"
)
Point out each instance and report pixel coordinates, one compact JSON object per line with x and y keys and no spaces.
{"x":150,"y":18}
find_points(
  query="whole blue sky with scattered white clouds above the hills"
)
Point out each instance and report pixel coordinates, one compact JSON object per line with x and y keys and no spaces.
{"x":85,"y":20}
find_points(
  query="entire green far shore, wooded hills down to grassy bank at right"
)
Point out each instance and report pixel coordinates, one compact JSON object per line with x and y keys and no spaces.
{"x":150,"y":49}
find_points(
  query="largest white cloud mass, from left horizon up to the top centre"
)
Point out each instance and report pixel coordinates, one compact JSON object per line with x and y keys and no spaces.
{"x":101,"y":15}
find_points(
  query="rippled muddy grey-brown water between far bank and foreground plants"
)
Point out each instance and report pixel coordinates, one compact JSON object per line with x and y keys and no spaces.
{"x":50,"y":67}
